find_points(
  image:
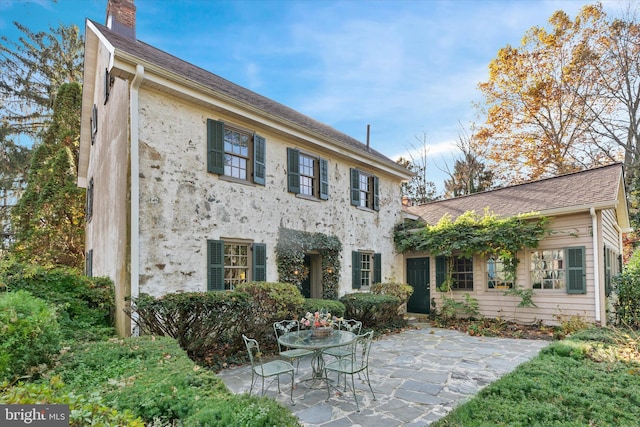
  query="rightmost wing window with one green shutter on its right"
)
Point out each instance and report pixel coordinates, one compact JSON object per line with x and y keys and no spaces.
{"x":559,"y":269}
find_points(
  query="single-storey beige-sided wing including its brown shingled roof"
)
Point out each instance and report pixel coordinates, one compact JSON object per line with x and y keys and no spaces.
{"x":571,"y":270}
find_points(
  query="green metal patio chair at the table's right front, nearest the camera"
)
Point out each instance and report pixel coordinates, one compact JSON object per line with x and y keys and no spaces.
{"x":356,"y":364}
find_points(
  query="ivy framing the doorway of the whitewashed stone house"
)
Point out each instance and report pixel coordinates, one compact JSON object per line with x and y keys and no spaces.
{"x":290,"y":251}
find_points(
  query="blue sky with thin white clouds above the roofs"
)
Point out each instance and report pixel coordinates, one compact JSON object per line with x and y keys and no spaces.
{"x":407,"y":68}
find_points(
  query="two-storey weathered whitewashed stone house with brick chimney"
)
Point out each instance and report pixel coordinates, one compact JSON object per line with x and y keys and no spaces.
{"x":193,"y":182}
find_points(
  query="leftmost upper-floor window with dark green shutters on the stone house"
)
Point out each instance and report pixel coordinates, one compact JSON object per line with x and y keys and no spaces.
{"x":235,"y":153}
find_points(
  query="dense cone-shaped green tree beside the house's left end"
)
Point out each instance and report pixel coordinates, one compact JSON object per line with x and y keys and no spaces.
{"x":49,"y":218}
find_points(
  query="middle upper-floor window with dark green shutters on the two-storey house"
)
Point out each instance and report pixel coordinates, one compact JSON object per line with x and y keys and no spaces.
{"x":307,"y":175}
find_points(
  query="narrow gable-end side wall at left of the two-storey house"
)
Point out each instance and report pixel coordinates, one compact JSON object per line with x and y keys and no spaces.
{"x":104,"y":170}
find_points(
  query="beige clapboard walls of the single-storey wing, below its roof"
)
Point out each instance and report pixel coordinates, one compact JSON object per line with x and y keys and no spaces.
{"x":569,"y":272}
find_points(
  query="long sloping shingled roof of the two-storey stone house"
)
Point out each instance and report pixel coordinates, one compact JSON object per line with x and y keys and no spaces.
{"x":150,"y":54}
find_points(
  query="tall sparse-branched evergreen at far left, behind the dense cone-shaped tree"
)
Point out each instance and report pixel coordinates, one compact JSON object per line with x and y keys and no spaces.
{"x":32,"y":69}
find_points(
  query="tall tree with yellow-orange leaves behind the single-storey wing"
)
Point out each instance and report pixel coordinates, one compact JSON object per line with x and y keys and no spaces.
{"x":566,"y":99}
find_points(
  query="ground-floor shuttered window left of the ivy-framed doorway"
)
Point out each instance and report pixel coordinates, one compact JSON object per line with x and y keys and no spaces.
{"x":232,"y":262}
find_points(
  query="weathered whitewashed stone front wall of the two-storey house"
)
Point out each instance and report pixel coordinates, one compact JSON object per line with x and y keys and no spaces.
{"x":182,"y":205}
